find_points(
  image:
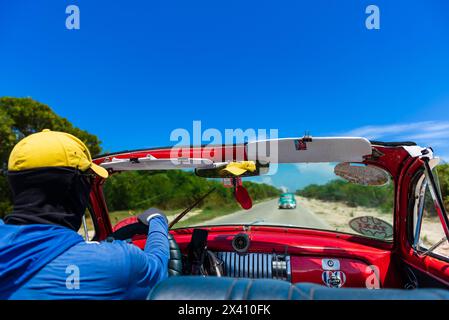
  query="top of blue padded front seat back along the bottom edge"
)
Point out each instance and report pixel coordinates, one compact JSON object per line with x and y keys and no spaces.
{"x":224,"y":288}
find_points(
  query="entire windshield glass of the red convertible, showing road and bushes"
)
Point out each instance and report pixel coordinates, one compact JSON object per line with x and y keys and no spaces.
{"x":297,"y":195}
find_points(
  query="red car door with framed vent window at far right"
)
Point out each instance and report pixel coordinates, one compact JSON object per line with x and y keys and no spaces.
{"x":426,"y":263}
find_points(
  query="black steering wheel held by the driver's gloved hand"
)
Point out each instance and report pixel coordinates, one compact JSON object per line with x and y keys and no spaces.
{"x":130,"y":230}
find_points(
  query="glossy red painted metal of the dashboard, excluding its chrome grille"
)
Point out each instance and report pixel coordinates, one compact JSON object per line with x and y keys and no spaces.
{"x":306,"y":247}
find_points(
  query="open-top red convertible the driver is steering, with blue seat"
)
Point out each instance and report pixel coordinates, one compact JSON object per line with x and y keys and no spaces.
{"x":330,"y":250}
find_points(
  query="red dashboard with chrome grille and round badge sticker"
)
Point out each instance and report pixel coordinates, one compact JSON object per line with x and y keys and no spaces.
{"x":304,"y":255}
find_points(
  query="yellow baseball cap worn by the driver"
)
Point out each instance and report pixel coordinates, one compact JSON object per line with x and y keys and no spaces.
{"x":52,"y":149}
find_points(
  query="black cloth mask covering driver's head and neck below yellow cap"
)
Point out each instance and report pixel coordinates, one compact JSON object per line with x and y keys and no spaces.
{"x":53,"y":195}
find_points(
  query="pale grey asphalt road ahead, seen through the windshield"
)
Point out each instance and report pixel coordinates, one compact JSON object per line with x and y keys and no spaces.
{"x":267,"y":213}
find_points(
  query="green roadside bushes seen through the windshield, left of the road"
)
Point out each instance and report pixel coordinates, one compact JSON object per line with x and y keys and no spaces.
{"x":174,"y":190}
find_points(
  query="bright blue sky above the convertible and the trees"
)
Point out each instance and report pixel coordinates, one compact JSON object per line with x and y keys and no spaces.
{"x":136,"y":70}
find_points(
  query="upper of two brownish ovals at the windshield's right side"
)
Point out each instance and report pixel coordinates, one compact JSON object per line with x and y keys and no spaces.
{"x":363,"y":174}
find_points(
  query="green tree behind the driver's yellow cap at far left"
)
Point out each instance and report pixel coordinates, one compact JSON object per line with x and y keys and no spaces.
{"x":20,"y":117}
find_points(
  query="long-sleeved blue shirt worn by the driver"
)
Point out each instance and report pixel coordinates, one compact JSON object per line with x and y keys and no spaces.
{"x":92,"y":270}
